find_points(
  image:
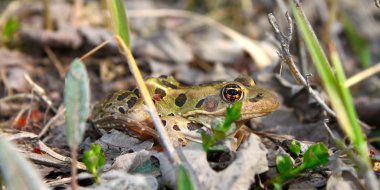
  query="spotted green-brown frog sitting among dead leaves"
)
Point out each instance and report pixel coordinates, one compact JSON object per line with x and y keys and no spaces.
{"x":185,"y":111}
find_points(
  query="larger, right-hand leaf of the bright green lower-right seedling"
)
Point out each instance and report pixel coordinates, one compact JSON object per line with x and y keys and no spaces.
{"x":316,"y":155}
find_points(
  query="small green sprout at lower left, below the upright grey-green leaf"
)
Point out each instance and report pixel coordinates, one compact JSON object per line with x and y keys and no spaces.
{"x":94,"y":160}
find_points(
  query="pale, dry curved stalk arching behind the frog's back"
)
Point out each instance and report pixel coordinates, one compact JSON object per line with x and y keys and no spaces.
{"x":259,"y":56}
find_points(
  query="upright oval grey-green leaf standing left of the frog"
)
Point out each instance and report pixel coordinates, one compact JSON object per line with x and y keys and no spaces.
{"x":77,"y":102}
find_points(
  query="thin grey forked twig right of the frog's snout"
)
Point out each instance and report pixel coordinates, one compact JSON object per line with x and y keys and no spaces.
{"x":287,"y":58}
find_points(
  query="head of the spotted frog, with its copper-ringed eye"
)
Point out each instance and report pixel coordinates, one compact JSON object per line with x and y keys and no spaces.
{"x":214,"y":99}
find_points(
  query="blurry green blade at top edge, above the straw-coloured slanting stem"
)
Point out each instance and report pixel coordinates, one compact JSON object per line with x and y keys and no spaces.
{"x":119,"y":19}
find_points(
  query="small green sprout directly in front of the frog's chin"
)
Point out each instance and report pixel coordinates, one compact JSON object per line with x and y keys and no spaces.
{"x":222,"y":127}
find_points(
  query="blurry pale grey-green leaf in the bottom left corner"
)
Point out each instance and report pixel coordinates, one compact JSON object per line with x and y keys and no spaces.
{"x":16,"y":171}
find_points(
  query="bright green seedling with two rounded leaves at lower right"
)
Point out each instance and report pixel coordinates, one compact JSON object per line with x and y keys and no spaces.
{"x":316,"y":155}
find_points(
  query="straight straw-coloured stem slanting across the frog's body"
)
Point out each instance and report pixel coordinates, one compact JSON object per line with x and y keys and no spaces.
{"x":164,"y":138}
